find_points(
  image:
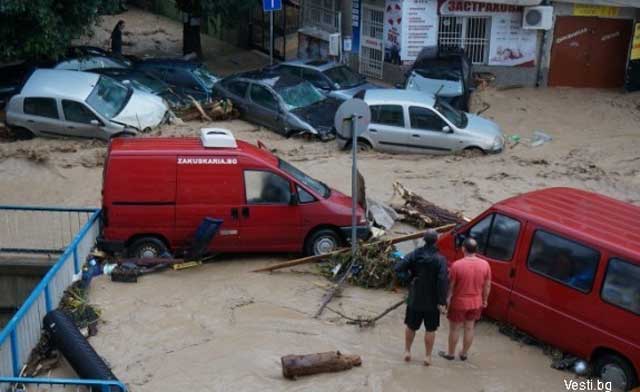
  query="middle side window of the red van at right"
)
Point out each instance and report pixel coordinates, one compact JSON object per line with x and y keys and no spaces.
{"x":563,"y":260}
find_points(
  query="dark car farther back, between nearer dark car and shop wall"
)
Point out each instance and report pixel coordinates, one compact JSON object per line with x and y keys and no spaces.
{"x":336,"y":80}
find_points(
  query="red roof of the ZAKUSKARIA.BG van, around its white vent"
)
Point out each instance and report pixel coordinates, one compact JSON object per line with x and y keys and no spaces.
{"x":182,"y":146}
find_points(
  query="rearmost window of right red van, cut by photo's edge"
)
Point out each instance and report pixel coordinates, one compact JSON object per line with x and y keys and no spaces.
{"x":622,"y":285}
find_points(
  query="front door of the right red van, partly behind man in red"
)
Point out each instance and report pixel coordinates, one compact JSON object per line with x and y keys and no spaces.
{"x":497,"y":235}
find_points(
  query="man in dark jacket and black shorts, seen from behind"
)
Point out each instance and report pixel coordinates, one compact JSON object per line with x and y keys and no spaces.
{"x":427,"y":293}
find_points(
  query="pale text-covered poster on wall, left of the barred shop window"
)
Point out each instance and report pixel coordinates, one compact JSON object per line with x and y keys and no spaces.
{"x":419,"y":27}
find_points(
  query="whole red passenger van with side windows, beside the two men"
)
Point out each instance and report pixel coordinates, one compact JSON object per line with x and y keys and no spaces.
{"x":566,"y":270}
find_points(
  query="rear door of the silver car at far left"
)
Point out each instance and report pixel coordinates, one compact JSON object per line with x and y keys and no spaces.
{"x":42,"y":115}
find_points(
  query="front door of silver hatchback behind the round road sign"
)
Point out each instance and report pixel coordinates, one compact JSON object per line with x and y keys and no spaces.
{"x":429,"y":133}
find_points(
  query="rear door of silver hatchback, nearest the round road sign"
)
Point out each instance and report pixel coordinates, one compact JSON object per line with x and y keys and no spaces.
{"x":387,"y":130}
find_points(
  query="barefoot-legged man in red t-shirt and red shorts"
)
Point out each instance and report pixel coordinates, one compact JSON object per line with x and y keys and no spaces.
{"x":469,"y":285}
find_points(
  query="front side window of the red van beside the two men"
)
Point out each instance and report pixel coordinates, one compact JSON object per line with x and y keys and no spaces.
{"x":497,"y":236}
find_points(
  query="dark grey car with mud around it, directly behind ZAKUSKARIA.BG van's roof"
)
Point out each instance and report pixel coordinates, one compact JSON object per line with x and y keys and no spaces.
{"x":282,"y":102}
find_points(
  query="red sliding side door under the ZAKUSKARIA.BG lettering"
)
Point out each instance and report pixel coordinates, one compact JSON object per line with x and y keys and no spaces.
{"x":209,"y":186}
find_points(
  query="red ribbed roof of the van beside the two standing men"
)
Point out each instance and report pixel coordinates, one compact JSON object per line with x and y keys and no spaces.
{"x":588,"y":216}
